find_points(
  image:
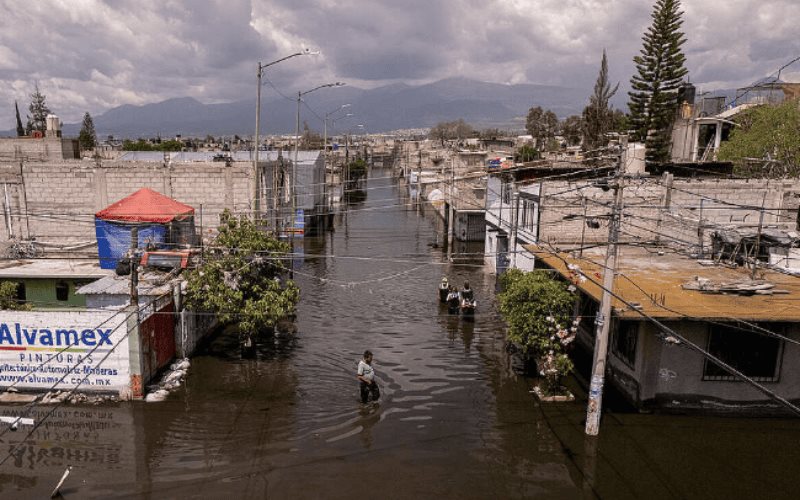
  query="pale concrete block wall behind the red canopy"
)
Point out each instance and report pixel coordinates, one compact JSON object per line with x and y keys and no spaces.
{"x":55,"y":202}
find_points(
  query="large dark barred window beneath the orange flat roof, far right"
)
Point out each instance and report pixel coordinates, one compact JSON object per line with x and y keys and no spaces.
{"x":753,"y":354}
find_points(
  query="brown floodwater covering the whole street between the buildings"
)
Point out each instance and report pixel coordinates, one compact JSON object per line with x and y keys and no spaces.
{"x":454,"y":420}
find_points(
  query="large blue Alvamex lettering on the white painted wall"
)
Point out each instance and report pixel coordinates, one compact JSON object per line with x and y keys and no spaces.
{"x":16,"y":338}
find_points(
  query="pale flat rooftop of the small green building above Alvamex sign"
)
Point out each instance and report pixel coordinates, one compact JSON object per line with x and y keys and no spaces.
{"x":52,"y":268}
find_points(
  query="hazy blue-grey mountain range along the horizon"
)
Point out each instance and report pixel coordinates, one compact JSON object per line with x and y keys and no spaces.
{"x":391,"y":107}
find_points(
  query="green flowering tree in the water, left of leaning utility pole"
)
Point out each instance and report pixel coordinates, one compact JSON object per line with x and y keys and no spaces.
{"x":538,"y":311}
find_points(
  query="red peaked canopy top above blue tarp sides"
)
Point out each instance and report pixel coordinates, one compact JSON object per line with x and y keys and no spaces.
{"x":145,"y":205}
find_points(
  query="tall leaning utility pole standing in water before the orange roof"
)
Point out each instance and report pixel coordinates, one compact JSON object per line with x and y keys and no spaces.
{"x":603,"y":320}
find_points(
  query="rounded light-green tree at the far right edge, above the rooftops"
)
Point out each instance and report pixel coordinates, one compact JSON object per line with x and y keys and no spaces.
{"x":766,"y":142}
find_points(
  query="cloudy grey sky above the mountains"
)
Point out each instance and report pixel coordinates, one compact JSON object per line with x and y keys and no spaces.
{"x":92,"y":55}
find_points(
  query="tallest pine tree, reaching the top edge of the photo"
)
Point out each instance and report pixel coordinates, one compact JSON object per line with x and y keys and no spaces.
{"x":660,"y":70}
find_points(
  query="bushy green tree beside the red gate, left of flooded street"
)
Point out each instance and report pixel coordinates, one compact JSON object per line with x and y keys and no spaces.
{"x":240,"y":279}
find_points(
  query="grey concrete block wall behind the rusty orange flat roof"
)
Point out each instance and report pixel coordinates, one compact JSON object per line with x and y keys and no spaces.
{"x":707,"y":204}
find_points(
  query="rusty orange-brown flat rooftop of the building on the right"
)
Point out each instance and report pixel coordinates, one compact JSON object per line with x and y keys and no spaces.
{"x":655,"y":281}
